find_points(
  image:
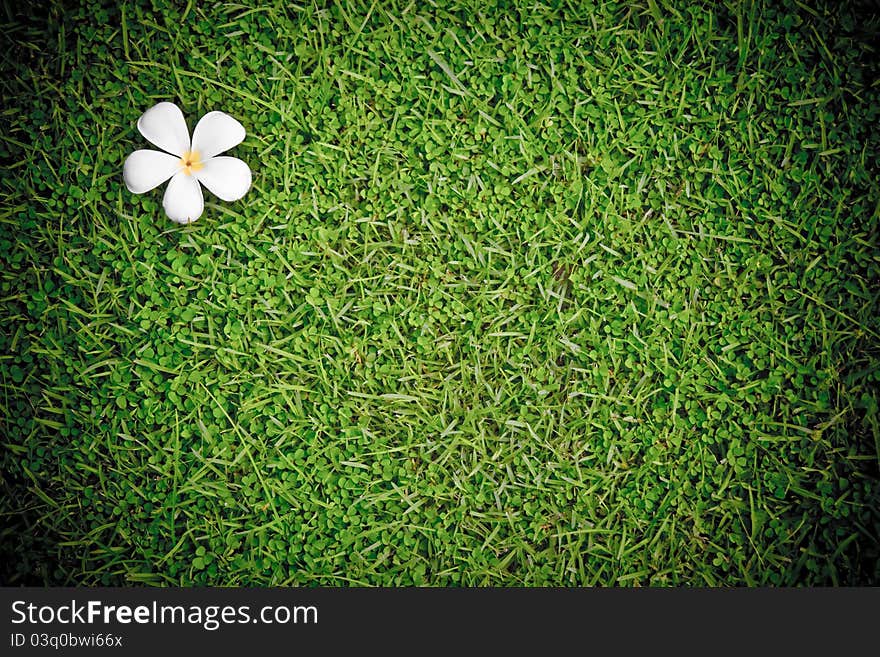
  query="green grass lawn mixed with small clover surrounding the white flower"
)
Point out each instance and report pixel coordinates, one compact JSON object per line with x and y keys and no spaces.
{"x":556,"y":293}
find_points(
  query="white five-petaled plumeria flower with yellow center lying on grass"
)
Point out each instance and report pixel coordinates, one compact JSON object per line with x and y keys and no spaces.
{"x":189,"y":162}
